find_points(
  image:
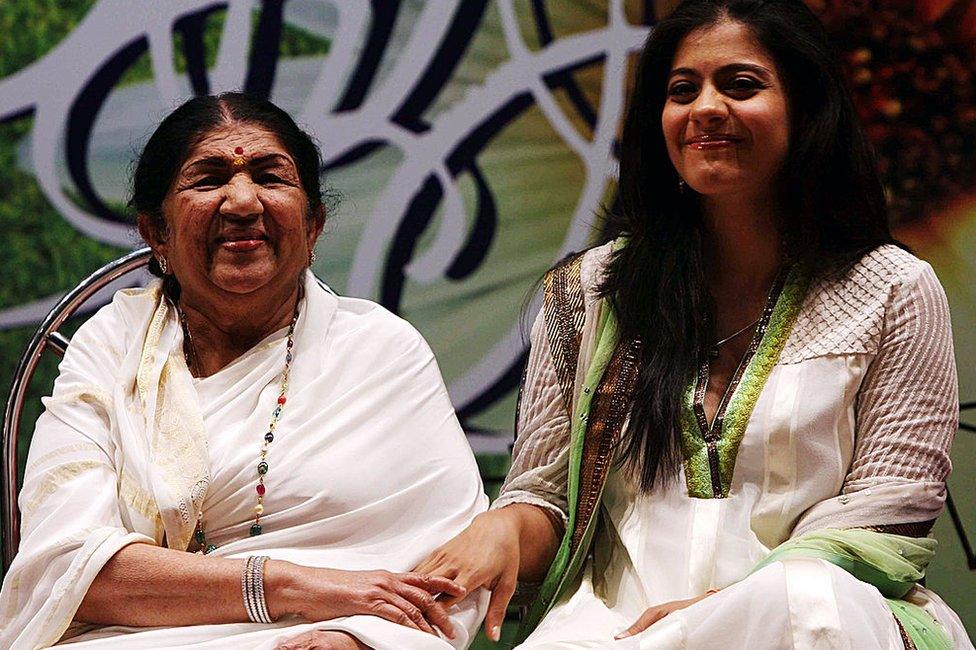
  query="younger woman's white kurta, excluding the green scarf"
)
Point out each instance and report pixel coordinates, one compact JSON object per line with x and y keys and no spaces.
{"x":850,"y":429}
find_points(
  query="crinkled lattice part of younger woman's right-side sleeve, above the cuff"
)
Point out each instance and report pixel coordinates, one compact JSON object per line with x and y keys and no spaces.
{"x":907,"y":409}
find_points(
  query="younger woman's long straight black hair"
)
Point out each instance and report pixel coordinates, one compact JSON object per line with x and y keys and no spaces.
{"x":833,"y":209}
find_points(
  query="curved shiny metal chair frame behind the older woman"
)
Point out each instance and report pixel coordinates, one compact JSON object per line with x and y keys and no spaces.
{"x":47,"y":336}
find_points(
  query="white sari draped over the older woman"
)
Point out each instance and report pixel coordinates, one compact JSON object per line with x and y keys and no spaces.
{"x":369,"y":468}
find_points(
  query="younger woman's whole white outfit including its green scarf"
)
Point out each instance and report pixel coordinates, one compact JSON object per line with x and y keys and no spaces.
{"x":848,"y":427}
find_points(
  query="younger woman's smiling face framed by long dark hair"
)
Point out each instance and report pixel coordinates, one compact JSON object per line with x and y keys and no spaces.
{"x":725,"y":119}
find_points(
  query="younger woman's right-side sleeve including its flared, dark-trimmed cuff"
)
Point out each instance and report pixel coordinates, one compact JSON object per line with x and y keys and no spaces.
{"x":906,"y":414}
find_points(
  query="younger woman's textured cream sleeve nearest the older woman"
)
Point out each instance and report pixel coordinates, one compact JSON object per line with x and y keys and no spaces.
{"x":540,"y":459}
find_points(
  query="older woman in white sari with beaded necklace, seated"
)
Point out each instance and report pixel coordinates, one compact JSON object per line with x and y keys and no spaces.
{"x":235,"y":456}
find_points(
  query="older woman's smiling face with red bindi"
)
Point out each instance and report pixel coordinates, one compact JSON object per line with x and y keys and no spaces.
{"x":237,"y":215}
